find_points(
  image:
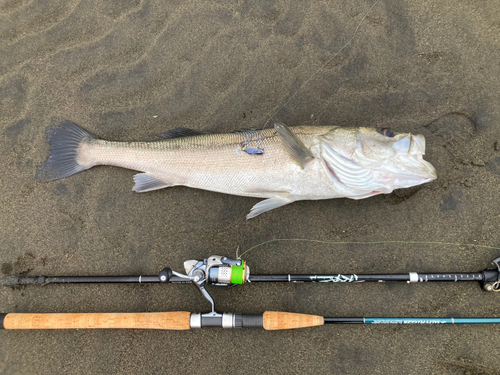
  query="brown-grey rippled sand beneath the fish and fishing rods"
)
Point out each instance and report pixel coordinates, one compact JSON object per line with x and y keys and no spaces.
{"x":129,"y":70}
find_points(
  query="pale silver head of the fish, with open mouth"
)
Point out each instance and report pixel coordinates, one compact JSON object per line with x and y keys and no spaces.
{"x":376,"y":161}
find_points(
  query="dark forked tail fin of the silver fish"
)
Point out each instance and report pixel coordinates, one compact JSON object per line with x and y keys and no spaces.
{"x":65,"y":140}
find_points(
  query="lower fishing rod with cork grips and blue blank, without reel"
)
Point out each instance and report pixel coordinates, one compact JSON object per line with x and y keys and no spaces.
{"x":183,"y":320}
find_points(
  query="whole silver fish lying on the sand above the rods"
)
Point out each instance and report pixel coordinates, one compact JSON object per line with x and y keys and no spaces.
{"x":281,"y":164}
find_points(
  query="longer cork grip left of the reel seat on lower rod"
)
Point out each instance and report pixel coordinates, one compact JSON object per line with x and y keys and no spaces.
{"x":168,"y":320}
